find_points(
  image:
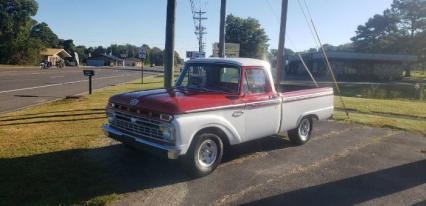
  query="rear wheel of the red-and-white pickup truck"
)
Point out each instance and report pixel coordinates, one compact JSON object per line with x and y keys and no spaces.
{"x":302,"y":133}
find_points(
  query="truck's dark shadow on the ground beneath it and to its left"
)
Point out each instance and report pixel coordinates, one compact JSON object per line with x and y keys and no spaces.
{"x":75,"y":176}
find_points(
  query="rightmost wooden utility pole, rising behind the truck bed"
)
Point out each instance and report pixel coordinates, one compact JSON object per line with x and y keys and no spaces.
{"x":281,"y":44}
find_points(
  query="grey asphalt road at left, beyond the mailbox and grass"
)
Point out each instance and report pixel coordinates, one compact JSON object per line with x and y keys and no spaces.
{"x":22,"y":87}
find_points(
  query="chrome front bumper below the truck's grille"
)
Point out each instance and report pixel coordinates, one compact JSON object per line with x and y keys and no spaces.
{"x":171,"y":152}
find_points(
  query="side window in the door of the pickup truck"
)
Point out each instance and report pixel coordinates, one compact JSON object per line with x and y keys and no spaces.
{"x":255,"y":81}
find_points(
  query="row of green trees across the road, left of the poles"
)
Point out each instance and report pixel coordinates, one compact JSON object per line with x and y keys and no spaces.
{"x":23,"y":38}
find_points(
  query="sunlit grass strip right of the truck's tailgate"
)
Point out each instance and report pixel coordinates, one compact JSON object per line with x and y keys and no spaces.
{"x":397,"y":114}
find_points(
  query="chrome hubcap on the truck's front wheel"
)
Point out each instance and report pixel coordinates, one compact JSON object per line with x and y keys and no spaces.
{"x":207,"y":153}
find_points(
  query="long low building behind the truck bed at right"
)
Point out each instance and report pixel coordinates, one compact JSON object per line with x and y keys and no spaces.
{"x":350,"y":66}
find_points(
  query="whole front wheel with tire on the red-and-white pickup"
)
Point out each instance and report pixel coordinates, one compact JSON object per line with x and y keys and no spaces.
{"x":204,"y":155}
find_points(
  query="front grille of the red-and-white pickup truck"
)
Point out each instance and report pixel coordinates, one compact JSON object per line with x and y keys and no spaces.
{"x":138,"y":126}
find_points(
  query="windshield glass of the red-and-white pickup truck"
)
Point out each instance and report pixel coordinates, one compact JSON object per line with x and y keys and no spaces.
{"x":210,"y":77}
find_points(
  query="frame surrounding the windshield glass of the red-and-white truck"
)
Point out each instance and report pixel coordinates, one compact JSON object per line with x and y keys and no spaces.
{"x":186,"y":68}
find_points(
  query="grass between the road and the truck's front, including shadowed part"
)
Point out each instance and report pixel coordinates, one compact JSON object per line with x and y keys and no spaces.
{"x":52,"y":154}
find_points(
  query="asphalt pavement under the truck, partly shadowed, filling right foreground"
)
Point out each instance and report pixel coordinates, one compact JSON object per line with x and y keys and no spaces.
{"x":344,"y":164}
